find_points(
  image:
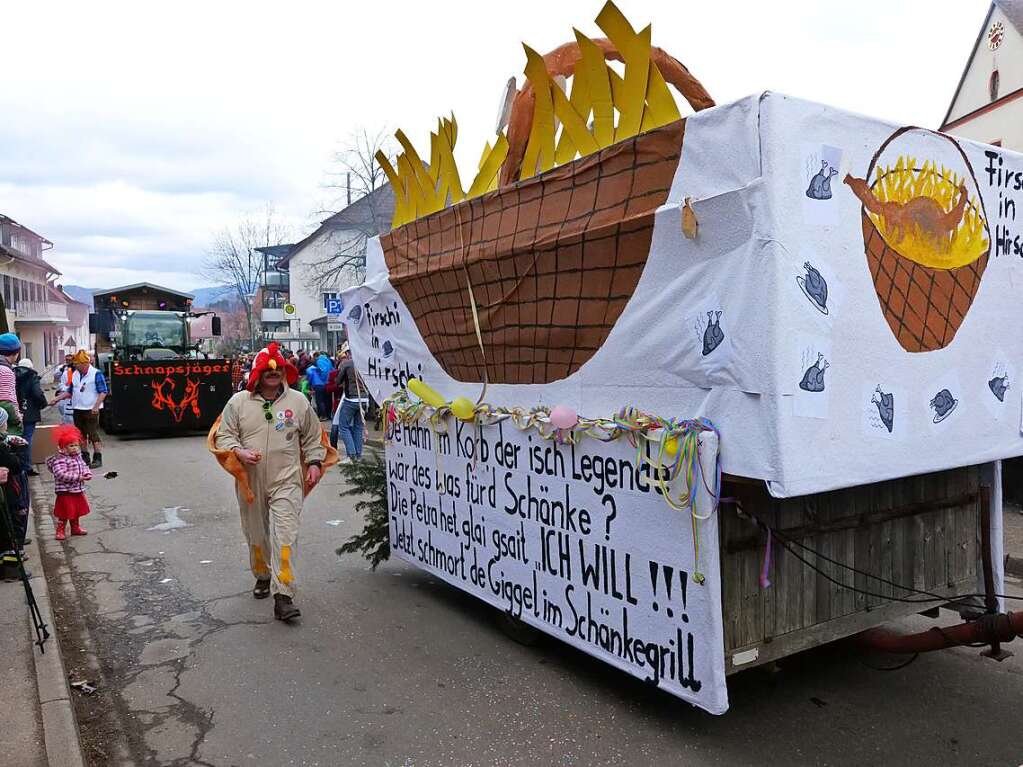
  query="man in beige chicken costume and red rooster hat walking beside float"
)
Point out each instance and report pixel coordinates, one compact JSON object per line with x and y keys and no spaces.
{"x":271,"y":440}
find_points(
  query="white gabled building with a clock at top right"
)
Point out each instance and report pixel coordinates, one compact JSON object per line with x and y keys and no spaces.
{"x":988,"y":105}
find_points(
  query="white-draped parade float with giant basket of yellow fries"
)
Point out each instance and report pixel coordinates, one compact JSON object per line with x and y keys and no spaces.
{"x":694,"y":393}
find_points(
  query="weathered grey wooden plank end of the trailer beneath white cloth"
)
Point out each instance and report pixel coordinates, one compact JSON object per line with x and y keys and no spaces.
{"x":923,"y":532}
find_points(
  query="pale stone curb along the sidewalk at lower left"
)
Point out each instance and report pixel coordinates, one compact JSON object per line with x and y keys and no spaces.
{"x":60,"y":729}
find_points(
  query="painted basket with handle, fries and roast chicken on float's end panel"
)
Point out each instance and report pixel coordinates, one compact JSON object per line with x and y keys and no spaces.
{"x":926,"y":239}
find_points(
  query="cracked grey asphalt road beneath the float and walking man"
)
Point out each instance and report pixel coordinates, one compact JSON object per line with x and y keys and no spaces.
{"x":395,"y":668}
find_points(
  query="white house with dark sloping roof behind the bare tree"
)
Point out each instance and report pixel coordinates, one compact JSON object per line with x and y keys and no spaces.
{"x":320,"y":267}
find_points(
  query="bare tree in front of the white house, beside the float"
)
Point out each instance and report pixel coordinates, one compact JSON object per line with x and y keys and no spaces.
{"x":354,"y":174}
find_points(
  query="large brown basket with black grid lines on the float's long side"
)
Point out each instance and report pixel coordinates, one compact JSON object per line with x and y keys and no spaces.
{"x":552,"y":262}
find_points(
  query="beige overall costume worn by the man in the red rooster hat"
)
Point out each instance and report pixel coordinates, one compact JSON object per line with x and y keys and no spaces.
{"x":271,"y":522}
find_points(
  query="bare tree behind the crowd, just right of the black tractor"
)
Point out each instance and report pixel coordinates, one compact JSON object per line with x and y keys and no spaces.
{"x":233,"y":261}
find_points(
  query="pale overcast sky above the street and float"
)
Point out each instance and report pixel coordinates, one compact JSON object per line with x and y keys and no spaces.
{"x":132,"y":132}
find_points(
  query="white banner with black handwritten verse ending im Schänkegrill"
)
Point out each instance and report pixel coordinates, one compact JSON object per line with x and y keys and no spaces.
{"x":574,"y":540}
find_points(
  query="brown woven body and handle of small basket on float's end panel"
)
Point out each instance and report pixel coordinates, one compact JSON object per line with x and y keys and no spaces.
{"x":923,"y":306}
